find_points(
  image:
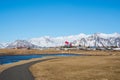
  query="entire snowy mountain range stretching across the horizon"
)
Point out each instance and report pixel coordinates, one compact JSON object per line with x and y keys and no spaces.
{"x":97,"y":39}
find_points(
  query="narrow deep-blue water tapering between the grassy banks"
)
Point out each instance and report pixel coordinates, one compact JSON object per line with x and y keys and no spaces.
{"x":8,"y":59}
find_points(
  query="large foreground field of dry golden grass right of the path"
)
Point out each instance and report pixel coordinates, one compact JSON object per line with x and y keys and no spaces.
{"x":78,"y":68}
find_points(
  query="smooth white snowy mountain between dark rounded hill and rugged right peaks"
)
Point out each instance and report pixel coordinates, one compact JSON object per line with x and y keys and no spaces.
{"x":47,"y":41}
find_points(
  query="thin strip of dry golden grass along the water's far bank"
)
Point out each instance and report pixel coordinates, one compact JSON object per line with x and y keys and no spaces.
{"x":34,"y":51}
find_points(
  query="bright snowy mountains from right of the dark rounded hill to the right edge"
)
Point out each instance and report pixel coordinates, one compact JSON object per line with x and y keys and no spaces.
{"x":97,"y":39}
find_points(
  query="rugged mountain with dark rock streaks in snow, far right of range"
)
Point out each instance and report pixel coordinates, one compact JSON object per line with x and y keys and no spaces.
{"x":101,"y":40}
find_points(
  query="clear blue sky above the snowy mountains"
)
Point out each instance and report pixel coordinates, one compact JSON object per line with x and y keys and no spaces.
{"x":25,"y":19}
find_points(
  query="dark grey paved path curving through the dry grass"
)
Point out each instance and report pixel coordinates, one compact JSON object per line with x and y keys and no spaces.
{"x":20,"y":72}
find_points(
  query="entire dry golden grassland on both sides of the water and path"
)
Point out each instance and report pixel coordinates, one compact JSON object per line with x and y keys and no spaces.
{"x":106,"y":66}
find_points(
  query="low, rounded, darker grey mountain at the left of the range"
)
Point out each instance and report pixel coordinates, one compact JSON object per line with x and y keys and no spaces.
{"x":21,"y":44}
